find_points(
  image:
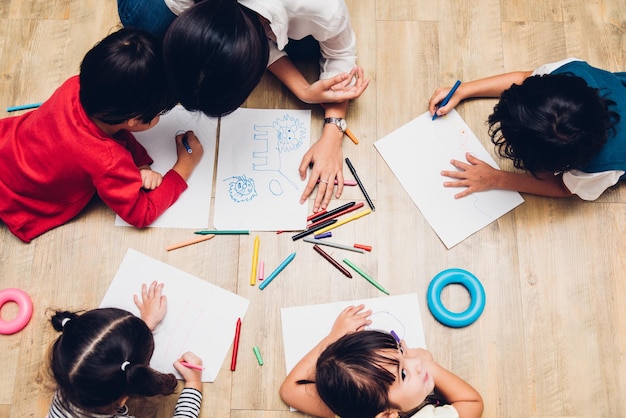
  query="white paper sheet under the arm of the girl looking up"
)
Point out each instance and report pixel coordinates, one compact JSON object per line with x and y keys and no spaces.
{"x":305,"y":326}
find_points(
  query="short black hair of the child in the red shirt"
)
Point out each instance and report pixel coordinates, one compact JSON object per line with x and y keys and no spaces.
{"x":123,"y":77}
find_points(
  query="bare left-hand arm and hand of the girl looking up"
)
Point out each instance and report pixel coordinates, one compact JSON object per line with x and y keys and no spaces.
{"x":304,"y":397}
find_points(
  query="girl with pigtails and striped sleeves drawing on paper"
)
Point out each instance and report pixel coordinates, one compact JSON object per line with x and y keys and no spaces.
{"x":103,"y":356}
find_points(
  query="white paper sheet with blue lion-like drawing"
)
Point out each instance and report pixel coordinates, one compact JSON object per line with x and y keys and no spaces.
{"x":257,"y":185}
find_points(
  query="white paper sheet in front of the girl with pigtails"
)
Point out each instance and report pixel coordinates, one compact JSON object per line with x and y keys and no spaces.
{"x":201,"y":317}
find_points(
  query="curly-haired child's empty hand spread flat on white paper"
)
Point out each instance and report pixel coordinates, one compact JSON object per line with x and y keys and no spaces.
{"x":477,"y":176}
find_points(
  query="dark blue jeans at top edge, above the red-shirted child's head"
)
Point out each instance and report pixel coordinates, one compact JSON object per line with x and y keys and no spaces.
{"x":151,"y":15}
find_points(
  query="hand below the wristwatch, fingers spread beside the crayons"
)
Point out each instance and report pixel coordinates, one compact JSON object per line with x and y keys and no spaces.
{"x":326,"y":157}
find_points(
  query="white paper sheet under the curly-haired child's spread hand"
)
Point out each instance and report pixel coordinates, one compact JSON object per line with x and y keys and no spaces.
{"x":417,"y":153}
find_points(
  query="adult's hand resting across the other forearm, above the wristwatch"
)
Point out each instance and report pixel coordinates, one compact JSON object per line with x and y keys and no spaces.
{"x":337,"y":89}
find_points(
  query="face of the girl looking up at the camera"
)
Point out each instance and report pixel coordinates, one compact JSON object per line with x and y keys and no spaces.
{"x":413,"y":381}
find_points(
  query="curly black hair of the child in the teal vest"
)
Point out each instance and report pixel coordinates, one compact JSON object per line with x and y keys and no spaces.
{"x":551,"y":123}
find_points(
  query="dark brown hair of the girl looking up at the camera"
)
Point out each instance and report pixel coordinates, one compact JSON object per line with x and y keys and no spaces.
{"x":351,"y":377}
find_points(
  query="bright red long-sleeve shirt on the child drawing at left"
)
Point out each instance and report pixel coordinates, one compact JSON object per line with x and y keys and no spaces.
{"x":55,"y":158}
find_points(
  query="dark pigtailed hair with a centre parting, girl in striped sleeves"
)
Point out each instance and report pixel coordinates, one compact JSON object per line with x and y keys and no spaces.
{"x":86,"y":360}
